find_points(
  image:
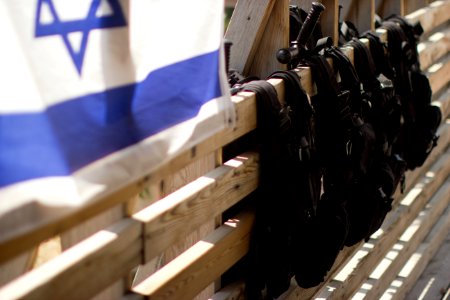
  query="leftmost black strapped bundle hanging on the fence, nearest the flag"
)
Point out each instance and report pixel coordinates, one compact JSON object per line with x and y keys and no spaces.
{"x":289,"y":185}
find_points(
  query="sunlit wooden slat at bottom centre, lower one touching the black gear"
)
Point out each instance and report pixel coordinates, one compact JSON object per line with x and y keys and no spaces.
{"x":189,"y":273}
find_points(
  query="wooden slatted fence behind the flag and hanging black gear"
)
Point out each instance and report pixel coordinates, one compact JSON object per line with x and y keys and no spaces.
{"x":172,"y":235}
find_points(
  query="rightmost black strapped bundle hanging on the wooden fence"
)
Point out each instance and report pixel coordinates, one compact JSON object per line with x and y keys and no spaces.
{"x":421,"y":119}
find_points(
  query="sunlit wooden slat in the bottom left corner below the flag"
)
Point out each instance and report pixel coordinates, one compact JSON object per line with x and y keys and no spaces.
{"x":83,"y":270}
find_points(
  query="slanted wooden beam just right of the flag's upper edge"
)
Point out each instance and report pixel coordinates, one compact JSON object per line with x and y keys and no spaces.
{"x":245,"y":31}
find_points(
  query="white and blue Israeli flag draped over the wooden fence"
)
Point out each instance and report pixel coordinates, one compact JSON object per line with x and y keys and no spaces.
{"x":95,"y":94}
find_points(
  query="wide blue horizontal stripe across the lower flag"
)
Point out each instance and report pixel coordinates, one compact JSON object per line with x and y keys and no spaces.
{"x":76,"y":132}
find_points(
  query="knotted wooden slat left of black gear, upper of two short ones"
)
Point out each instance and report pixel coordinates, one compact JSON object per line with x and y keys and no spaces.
{"x":171,"y":218}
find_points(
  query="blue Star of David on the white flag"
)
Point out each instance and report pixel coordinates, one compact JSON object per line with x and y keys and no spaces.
{"x":54,"y":26}
